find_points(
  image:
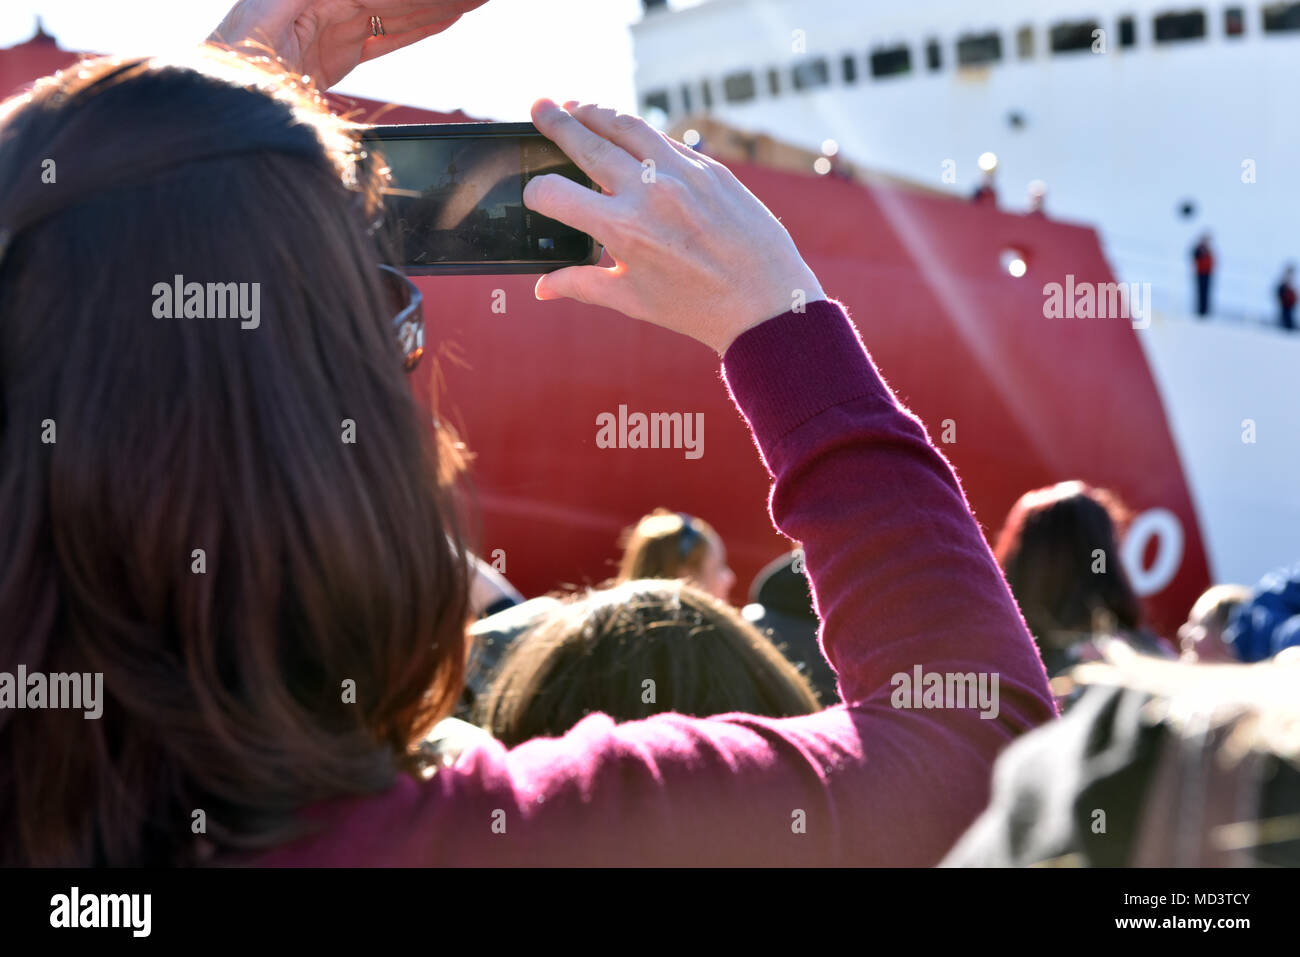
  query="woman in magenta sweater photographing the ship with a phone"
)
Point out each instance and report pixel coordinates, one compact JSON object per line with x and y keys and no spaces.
{"x":278,"y":616}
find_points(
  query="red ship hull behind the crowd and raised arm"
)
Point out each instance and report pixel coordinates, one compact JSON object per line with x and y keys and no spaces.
{"x":1029,"y":401}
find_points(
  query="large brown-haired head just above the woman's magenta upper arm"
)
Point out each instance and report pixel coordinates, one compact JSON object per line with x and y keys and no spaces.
{"x":638,"y":649}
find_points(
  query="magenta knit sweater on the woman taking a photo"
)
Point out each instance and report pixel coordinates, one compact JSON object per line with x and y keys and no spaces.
{"x":903,"y":578}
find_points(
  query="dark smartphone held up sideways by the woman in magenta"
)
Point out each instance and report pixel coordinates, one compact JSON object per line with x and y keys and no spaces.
{"x":456,"y":201}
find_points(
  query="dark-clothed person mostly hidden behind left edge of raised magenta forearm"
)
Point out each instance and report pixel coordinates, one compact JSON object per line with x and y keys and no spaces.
{"x":781,"y":605}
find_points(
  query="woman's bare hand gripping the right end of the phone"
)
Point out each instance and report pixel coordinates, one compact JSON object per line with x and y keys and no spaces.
{"x":694,"y":250}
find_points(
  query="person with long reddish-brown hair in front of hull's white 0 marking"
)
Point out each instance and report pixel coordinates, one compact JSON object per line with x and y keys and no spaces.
{"x":1060,"y":549}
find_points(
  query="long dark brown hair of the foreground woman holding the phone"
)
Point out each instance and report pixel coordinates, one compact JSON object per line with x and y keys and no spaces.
{"x":241,"y":529}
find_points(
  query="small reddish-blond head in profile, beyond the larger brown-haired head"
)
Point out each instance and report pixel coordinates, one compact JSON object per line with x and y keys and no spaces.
{"x":675,"y":545}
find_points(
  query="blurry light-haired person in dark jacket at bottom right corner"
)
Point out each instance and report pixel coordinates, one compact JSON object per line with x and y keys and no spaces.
{"x":1160,"y":764}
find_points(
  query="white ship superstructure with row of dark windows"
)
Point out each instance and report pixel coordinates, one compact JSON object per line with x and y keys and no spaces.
{"x":1152,"y":122}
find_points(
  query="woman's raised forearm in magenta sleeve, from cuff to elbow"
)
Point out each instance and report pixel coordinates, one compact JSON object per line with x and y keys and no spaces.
{"x":900,"y":571}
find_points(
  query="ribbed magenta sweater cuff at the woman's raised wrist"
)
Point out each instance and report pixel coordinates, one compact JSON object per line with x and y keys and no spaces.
{"x":788,"y":370}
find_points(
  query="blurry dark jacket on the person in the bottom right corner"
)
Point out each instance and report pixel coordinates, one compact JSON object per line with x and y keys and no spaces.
{"x":1117,"y":785}
